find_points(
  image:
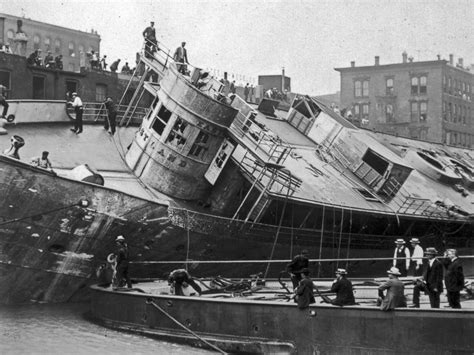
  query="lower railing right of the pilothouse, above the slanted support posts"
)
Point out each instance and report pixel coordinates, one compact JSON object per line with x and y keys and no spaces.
{"x":273,"y":179}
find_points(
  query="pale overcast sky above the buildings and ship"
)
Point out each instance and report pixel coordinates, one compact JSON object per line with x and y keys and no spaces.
{"x":251,"y":38}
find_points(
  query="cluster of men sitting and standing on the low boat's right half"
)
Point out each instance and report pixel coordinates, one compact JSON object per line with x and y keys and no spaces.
{"x":392,"y":292}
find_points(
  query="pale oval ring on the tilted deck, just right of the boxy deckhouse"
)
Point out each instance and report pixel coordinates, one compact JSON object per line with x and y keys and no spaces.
{"x":433,"y":167}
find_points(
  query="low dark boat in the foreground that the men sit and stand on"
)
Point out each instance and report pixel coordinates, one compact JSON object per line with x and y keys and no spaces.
{"x":264,"y":319}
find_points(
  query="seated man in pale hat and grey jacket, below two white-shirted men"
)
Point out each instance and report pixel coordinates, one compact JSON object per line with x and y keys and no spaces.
{"x":395,"y":296}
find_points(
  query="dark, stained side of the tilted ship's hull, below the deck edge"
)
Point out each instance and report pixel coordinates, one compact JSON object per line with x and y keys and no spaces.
{"x":51,"y":245}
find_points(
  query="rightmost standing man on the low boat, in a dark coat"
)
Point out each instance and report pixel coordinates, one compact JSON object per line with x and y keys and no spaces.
{"x":453,"y":277}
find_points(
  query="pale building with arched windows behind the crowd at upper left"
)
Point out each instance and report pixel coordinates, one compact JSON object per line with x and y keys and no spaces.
{"x":25,"y":36}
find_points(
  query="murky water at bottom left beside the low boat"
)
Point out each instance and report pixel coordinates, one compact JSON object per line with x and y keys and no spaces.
{"x":62,"y":329}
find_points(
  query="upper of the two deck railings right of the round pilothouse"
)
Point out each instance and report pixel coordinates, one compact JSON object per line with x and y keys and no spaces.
{"x":260,"y":139}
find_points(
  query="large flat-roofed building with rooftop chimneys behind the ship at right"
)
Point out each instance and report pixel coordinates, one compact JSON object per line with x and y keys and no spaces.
{"x":428,"y":100}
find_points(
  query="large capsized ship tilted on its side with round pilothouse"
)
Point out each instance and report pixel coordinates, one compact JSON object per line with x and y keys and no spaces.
{"x":208,"y":177}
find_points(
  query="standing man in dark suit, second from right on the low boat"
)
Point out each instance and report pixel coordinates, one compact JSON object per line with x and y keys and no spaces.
{"x":431,"y":282}
